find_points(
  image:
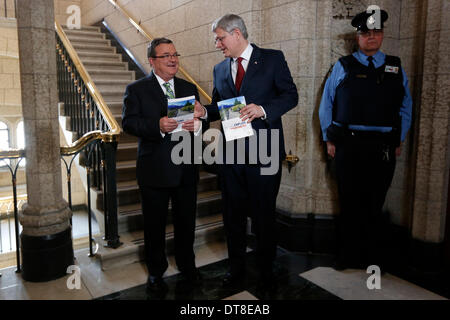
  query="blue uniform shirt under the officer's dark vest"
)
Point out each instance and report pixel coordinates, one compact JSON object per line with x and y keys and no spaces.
{"x":338,"y":74}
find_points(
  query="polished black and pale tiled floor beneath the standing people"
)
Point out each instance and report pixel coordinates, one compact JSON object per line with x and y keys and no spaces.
{"x":299,"y":277}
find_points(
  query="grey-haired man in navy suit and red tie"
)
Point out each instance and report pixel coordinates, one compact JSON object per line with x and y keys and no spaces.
{"x":263,"y":77}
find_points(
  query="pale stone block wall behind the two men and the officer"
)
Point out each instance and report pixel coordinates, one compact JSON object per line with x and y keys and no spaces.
{"x":313,"y":34}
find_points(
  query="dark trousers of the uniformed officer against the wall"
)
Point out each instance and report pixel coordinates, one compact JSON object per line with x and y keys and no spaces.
{"x":365,"y":167}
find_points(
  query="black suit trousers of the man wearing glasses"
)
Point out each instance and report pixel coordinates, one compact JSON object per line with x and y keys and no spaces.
{"x":155,"y":202}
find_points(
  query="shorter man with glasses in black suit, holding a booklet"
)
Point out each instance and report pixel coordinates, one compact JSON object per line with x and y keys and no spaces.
{"x":145,"y":115}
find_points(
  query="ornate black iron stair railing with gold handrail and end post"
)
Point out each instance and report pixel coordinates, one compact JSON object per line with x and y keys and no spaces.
{"x":92,"y":120}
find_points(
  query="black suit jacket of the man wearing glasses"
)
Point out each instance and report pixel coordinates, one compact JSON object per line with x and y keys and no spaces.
{"x":144,"y":103}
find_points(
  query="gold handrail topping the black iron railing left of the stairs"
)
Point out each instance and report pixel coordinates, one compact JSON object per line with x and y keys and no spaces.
{"x":113,"y":134}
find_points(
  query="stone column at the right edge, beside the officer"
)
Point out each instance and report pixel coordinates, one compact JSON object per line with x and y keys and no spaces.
{"x":432,"y":166}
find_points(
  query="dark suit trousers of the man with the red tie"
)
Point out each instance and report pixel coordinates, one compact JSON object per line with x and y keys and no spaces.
{"x":245,"y":192}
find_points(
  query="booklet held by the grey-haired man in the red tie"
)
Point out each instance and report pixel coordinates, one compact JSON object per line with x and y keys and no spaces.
{"x":233,"y":126}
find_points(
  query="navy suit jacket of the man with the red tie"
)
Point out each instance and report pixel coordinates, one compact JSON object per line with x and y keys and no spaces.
{"x":267,"y":82}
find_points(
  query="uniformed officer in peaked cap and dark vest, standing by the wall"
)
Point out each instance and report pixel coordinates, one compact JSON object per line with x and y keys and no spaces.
{"x":365,"y":114}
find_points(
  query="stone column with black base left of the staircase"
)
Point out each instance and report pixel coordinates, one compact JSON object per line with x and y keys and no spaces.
{"x":46,"y":241}
